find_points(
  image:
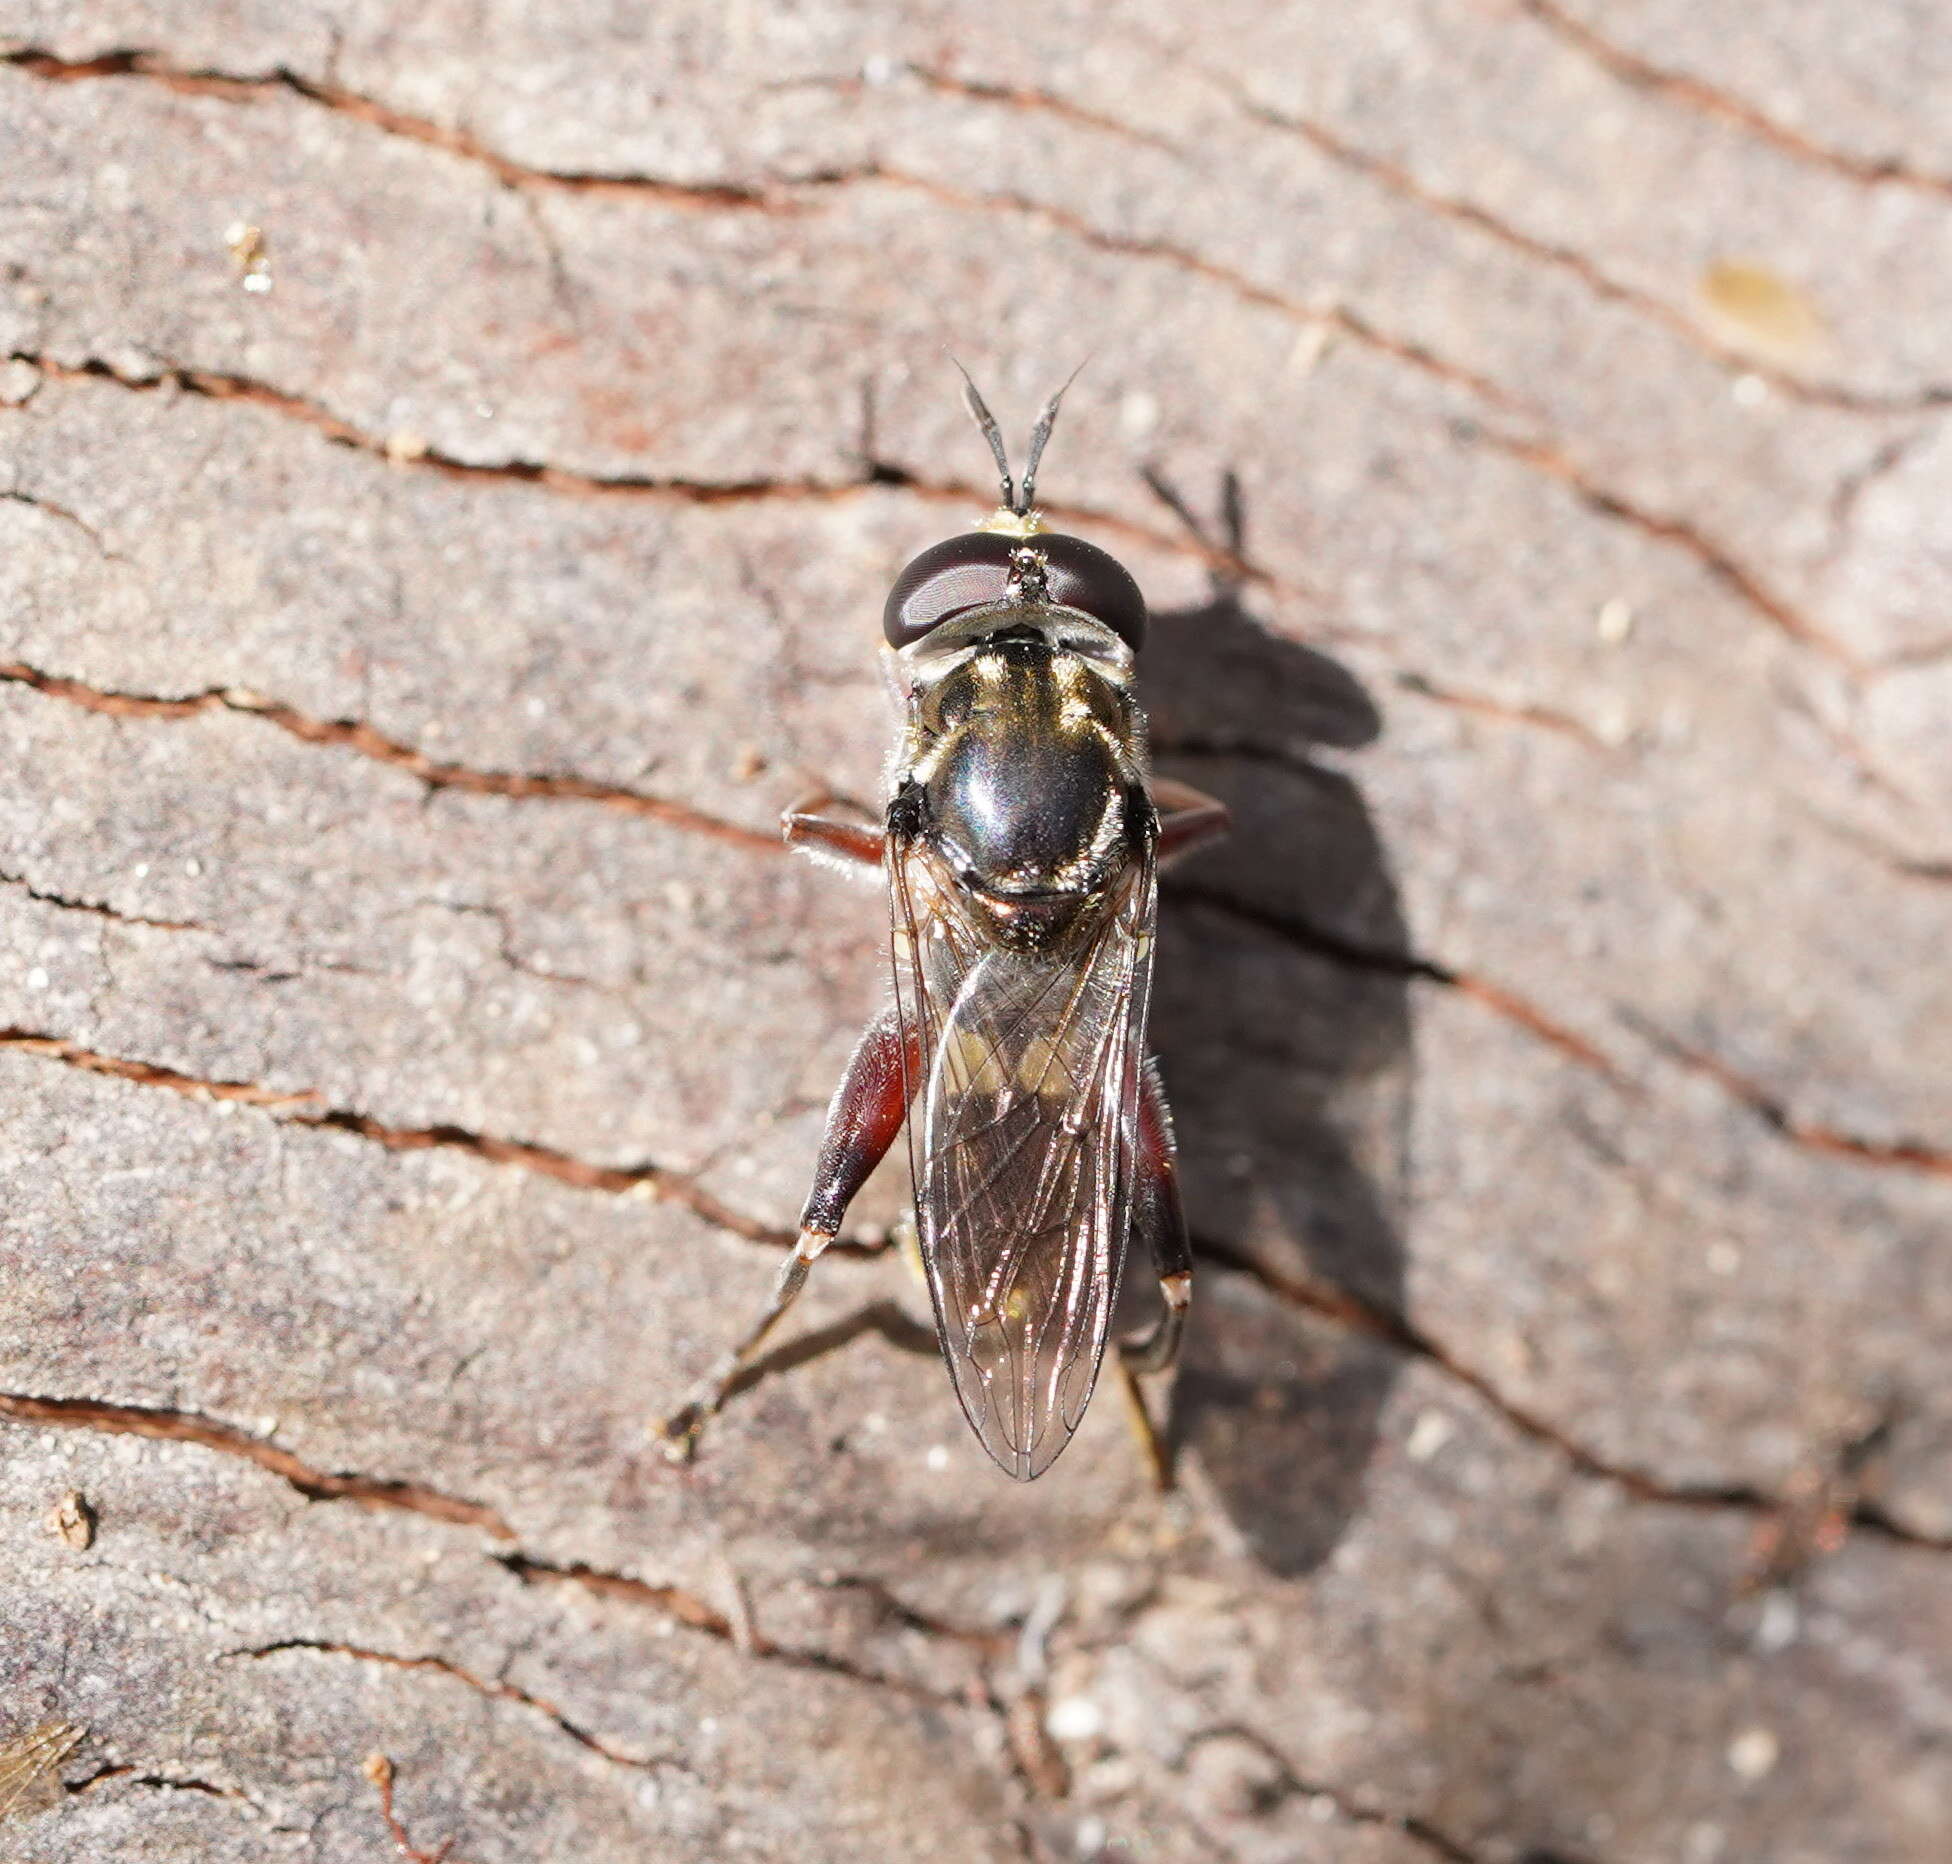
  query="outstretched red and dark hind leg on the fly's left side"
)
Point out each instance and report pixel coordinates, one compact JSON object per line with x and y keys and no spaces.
{"x":862,"y":1125}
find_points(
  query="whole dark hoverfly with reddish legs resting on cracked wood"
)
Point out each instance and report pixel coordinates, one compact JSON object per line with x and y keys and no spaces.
{"x":1022,"y":844}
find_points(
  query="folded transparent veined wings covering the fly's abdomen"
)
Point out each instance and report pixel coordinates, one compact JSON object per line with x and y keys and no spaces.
{"x":1024,"y":1145}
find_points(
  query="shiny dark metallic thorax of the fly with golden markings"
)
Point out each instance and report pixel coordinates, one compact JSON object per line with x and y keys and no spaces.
{"x":1024,"y":760}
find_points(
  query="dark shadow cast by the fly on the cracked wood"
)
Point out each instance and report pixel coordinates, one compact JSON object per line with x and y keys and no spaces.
{"x":1283,"y":1032}
